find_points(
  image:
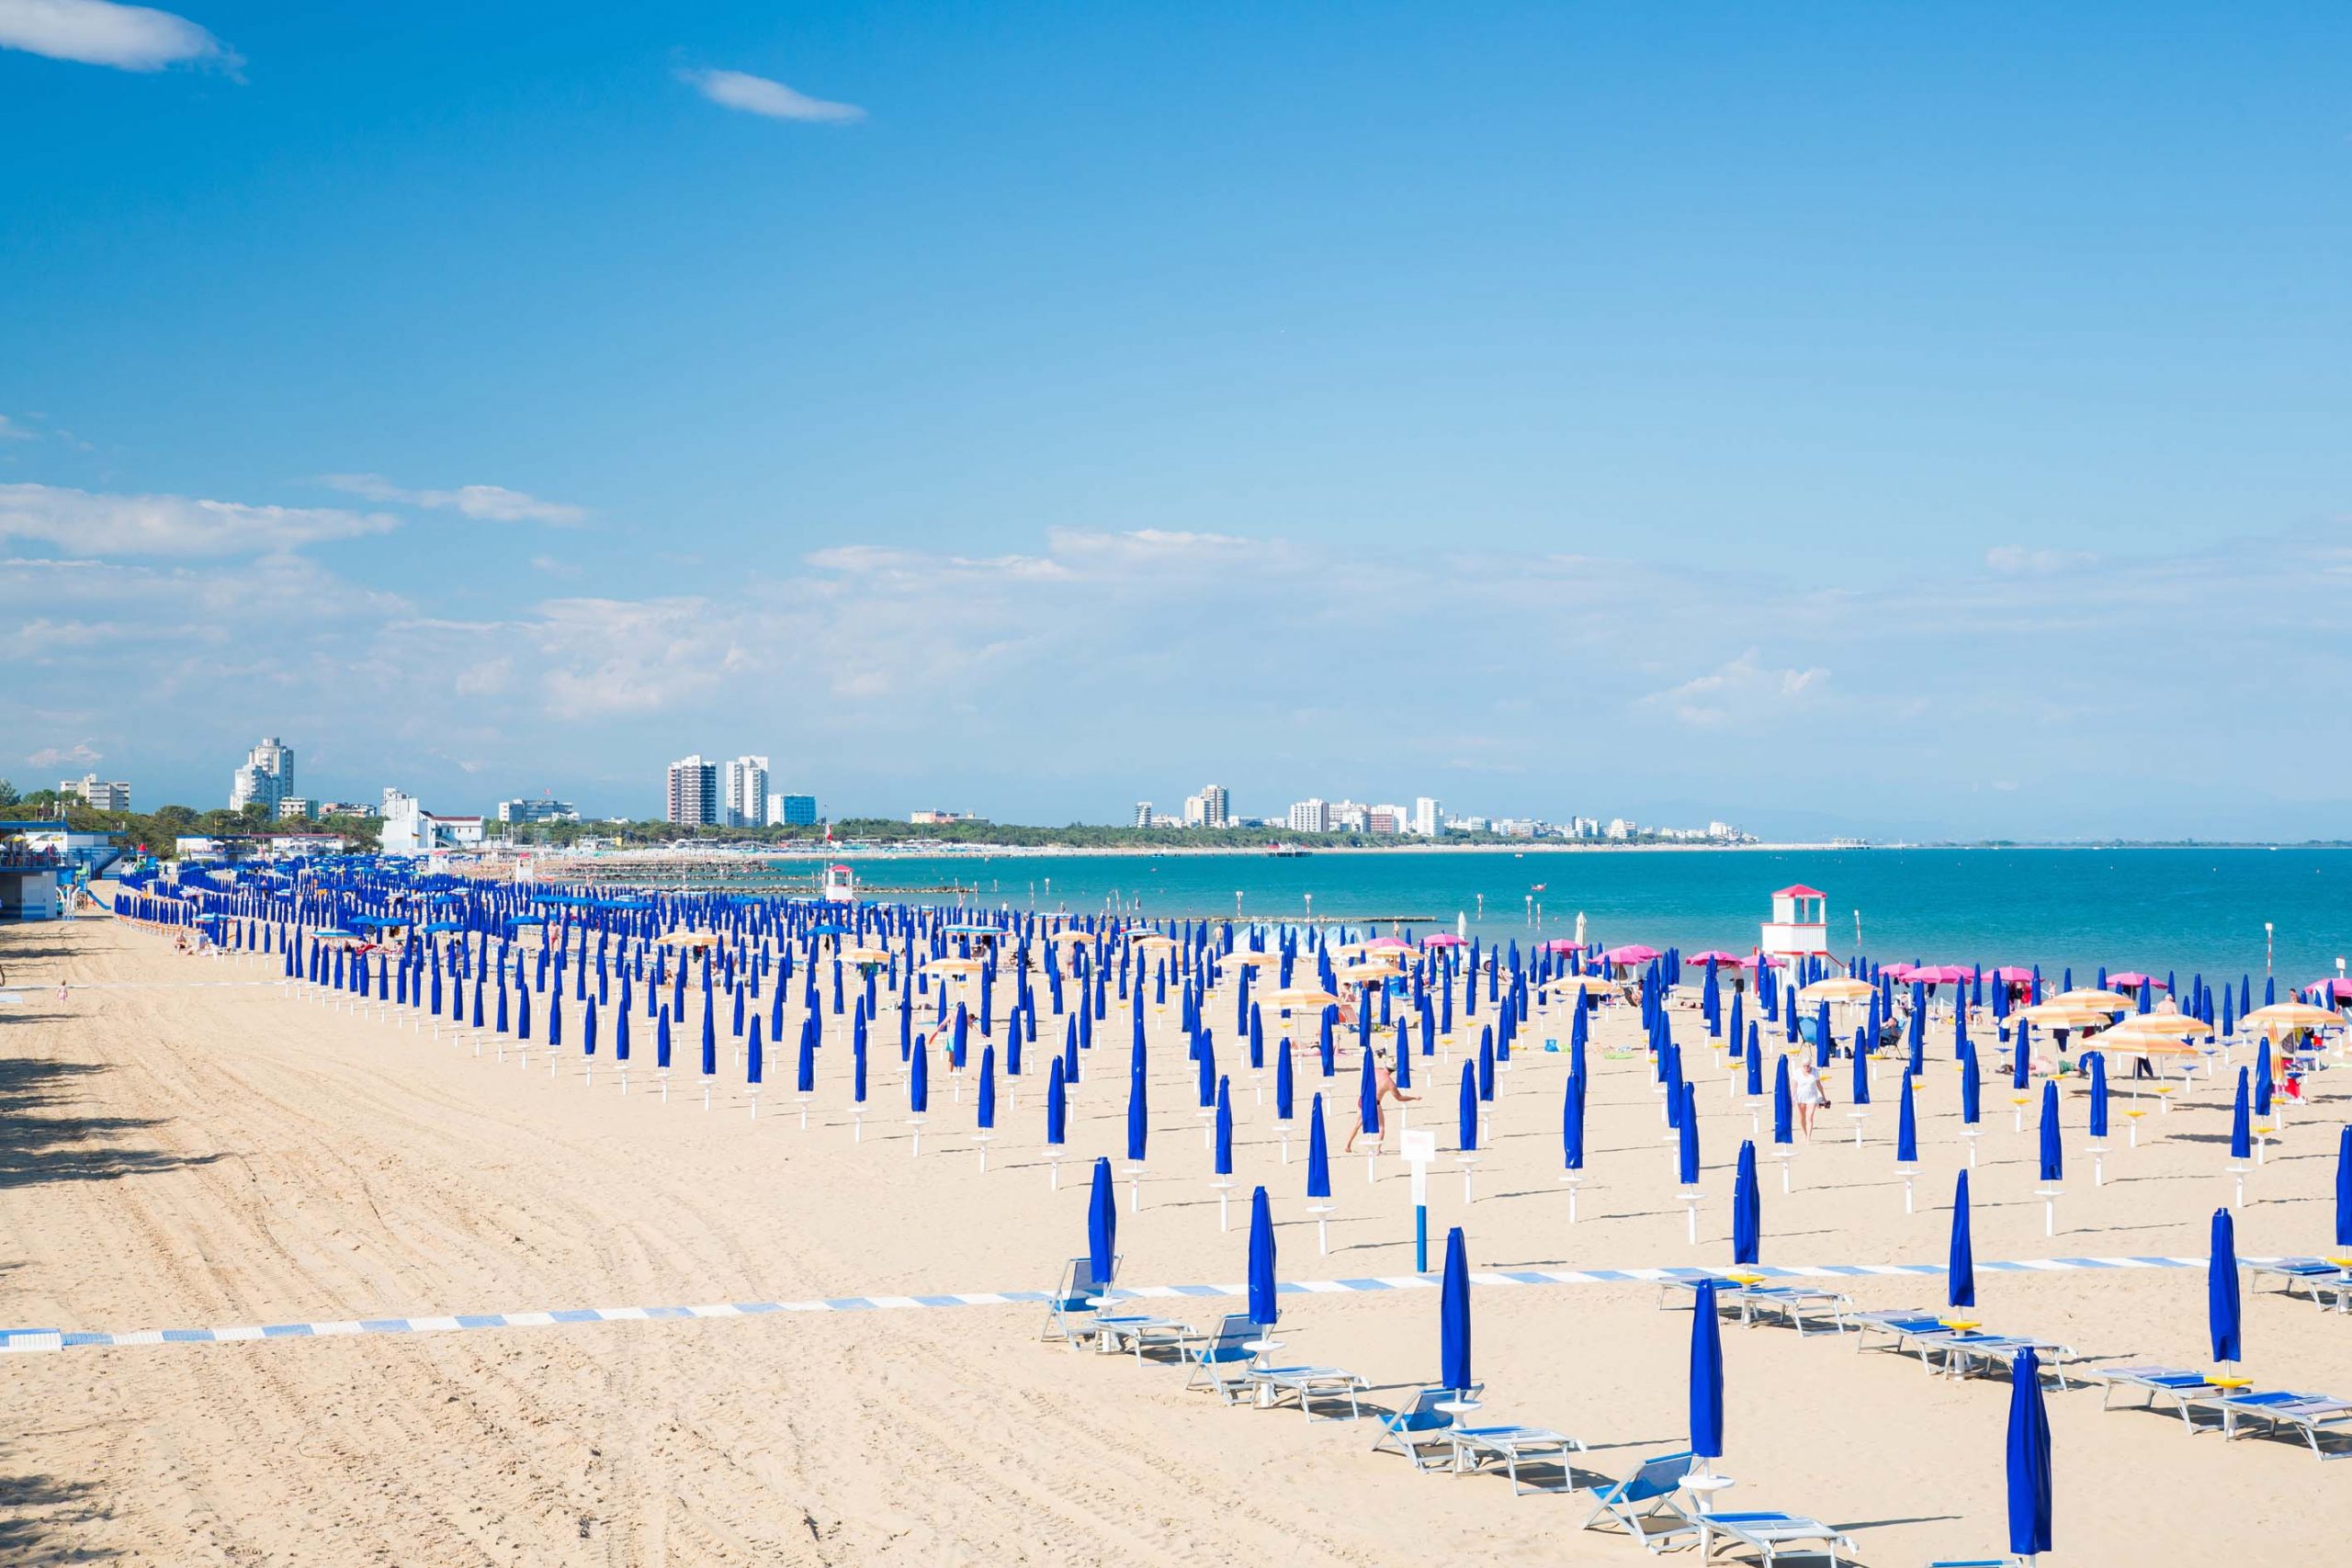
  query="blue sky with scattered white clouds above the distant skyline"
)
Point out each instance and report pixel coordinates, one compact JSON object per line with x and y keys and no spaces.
{"x":1904,"y":422}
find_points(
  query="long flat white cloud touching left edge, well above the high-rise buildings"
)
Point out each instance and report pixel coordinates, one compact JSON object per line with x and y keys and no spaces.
{"x":171,"y":525}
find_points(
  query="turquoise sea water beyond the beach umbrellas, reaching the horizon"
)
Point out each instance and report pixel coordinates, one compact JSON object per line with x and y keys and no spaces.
{"x":2125,"y":909}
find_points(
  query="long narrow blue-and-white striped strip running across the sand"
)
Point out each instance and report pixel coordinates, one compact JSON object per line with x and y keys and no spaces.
{"x":53,"y":1339}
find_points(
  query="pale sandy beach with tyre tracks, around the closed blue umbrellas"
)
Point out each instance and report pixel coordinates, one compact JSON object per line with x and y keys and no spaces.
{"x":189,"y":1144}
